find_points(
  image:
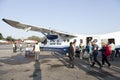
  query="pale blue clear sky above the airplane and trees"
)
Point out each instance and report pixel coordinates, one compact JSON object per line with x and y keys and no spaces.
{"x":72,"y":16}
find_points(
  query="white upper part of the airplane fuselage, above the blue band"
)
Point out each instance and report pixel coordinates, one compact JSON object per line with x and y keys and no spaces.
{"x":64,"y":41}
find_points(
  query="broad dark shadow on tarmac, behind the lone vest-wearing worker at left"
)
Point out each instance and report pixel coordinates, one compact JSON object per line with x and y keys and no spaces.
{"x":21,"y":59}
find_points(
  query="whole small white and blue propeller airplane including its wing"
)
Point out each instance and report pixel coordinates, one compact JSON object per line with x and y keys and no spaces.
{"x":59,"y":41}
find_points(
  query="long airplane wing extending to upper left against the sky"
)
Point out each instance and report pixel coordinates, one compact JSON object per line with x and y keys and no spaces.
{"x":34,"y":28}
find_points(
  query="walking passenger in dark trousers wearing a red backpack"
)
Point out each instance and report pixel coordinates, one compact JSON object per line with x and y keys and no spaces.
{"x":106,"y":52}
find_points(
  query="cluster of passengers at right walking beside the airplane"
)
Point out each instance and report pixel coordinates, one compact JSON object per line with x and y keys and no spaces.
{"x":91,"y":52}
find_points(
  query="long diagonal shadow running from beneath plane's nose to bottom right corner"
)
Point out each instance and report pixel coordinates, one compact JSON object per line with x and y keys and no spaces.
{"x":95,"y":71}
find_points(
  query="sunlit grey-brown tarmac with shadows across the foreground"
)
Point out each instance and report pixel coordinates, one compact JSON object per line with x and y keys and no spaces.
{"x":52,"y":66}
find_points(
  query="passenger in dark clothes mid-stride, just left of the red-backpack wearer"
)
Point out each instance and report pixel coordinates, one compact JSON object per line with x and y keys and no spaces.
{"x":95,"y":53}
